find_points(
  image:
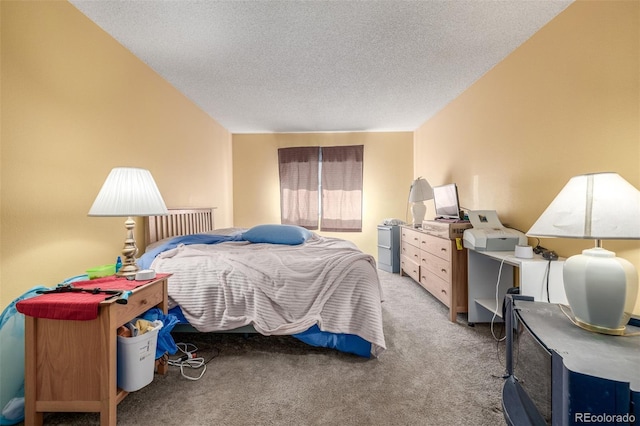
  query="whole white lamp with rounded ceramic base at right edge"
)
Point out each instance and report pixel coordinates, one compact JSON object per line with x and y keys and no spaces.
{"x":601,"y":288}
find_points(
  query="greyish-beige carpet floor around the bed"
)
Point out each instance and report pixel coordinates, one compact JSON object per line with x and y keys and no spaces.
{"x":434,"y":372}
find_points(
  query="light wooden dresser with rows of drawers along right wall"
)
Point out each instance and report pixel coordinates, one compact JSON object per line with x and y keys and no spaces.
{"x":435,"y":258}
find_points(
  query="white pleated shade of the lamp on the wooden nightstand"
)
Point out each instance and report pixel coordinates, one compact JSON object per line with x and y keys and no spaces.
{"x":127,"y":192}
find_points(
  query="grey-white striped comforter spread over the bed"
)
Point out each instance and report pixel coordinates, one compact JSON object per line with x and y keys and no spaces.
{"x":279,"y":289}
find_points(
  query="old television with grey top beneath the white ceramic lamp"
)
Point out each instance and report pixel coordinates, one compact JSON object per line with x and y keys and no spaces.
{"x":559,"y":374}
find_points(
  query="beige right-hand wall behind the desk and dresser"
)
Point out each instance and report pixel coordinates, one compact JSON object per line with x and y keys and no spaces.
{"x":563,"y":104}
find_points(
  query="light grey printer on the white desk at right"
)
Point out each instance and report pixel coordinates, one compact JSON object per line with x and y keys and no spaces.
{"x":488,"y":233}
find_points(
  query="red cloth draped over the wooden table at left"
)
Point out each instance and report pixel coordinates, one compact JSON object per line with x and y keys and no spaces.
{"x":80,"y":306}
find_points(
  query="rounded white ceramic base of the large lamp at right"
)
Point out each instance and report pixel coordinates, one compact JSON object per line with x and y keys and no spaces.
{"x":601,"y":290}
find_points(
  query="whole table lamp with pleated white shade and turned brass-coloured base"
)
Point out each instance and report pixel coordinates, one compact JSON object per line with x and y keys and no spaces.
{"x":129,"y":192}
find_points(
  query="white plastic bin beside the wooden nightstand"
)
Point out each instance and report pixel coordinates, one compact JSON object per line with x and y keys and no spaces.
{"x":136,"y":359}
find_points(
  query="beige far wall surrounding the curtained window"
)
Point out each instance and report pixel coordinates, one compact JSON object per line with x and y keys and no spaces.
{"x":387,"y":177}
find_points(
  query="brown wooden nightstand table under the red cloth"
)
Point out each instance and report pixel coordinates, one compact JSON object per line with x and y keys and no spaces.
{"x":70,"y":366}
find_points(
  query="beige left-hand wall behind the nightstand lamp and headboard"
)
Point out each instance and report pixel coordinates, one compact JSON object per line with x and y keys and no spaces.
{"x":75,"y":104}
